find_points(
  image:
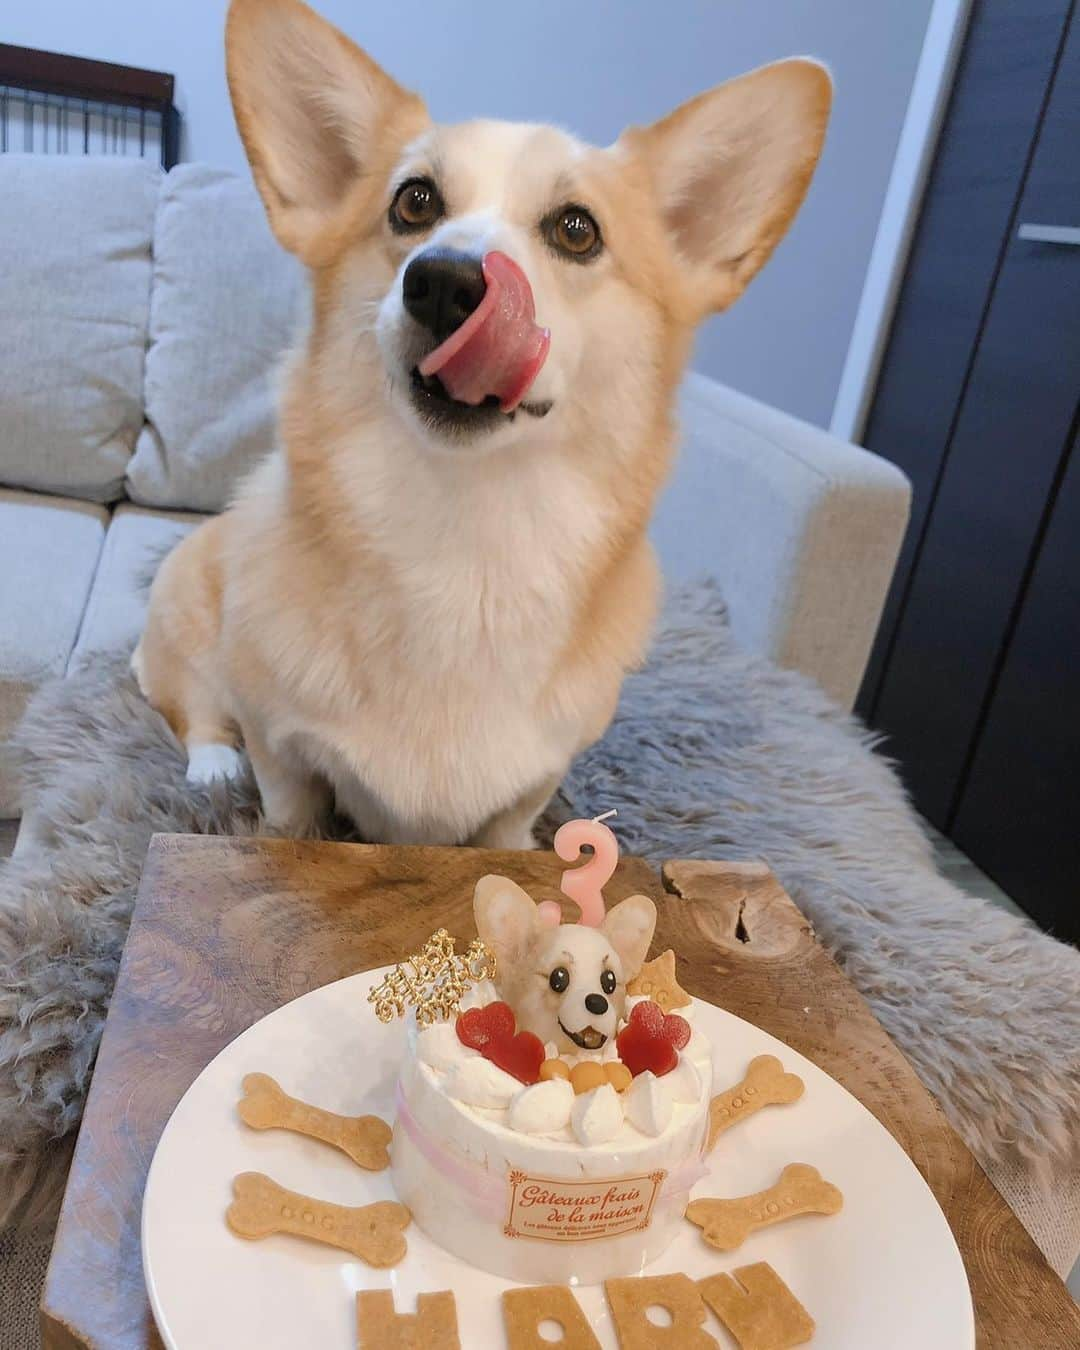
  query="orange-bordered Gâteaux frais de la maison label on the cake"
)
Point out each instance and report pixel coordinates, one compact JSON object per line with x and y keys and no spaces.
{"x":556,"y":1210}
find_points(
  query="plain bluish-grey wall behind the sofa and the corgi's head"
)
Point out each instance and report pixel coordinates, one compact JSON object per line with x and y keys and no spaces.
{"x":595,"y":65}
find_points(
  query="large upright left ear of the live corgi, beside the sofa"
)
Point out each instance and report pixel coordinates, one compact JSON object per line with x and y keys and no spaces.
{"x":313,"y":110}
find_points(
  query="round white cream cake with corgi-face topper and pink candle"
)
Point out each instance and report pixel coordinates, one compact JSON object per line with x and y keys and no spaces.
{"x":551,"y":1127}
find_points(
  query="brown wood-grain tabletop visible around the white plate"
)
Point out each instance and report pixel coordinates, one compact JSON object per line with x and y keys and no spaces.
{"x":226,"y":931}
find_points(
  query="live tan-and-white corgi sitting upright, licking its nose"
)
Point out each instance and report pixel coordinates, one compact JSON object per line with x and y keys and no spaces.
{"x":425,"y":604}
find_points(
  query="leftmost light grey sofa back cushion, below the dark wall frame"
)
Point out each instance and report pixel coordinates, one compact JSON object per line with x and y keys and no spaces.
{"x":75,"y":298}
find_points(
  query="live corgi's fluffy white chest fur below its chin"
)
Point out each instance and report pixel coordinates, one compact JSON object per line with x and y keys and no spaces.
{"x":454,"y":720}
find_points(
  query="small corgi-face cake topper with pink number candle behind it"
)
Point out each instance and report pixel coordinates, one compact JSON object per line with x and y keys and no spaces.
{"x":568,"y":982}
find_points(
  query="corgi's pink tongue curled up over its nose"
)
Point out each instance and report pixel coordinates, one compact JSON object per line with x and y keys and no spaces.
{"x":500,"y":349}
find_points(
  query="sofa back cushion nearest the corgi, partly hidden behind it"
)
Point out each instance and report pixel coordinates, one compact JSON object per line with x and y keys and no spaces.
{"x":225,"y":306}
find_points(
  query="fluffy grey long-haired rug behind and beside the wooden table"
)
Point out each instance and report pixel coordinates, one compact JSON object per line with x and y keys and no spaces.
{"x":713,"y":754}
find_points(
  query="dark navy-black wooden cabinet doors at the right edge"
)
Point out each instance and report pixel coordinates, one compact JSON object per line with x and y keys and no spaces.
{"x":977,"y":672}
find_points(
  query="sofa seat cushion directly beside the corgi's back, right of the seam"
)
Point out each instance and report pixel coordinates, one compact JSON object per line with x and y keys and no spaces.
{"x":137,"y":542}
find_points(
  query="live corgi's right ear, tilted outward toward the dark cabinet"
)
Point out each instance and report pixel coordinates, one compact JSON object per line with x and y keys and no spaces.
{"x":731,"y":169}
